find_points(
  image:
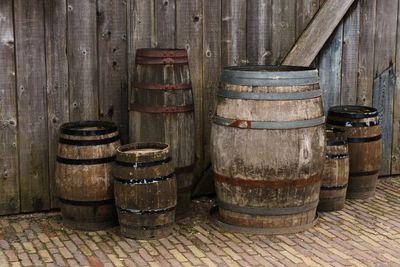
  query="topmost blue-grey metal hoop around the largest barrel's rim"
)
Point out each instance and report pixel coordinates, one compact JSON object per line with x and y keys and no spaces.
{"x":273,"y":78}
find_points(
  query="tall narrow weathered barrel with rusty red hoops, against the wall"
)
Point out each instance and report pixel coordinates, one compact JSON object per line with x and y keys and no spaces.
{"x":162,"y":111}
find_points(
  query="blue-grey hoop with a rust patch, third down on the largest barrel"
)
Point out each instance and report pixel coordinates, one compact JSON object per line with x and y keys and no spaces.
{"x":268,"y":124}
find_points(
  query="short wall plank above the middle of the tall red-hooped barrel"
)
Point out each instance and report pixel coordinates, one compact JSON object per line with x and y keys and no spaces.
{"x":165,"y":23}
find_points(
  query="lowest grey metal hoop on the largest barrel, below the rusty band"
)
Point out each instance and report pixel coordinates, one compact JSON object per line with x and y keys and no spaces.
{"x":268,"y":211}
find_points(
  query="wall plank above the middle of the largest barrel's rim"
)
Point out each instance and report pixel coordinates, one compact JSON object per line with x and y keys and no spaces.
{"x":259,"y":28}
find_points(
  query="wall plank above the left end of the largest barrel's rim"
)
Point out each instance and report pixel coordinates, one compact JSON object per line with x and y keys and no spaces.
{"x":233,"y":46}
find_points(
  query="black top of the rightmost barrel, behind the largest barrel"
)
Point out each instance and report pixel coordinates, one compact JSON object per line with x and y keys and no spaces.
{"x":353,"y":112}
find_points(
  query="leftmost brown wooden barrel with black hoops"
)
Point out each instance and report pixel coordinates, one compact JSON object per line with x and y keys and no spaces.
{"x":86,"y":151}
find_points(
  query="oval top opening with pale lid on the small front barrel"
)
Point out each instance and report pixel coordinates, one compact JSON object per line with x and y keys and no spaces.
{"x":138,"y":149}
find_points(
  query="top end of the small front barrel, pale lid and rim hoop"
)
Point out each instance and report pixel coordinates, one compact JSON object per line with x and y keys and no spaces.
{"x":142,"y":152}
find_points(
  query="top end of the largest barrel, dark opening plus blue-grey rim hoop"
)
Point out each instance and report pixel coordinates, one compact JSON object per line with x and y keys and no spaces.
{"x":268,"y":75}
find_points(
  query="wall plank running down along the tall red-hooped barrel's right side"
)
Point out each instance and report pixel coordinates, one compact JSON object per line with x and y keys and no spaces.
{"x":189,"y":34}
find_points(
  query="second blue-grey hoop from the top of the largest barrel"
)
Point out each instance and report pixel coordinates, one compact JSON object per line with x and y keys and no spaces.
{"x":270,"y":96}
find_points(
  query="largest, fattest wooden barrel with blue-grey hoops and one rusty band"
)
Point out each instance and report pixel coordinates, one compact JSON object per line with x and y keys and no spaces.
{"x":268,"y":140}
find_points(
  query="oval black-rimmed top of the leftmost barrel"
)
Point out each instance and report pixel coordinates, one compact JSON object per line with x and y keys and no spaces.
{"x":88,"y":128}
